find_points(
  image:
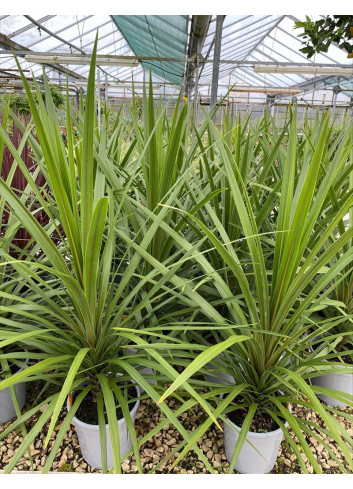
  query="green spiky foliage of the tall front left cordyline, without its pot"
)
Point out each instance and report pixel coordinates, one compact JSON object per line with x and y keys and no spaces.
{"x":76,"y":331}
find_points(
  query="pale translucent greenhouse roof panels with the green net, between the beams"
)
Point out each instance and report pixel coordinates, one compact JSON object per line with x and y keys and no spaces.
{"x":246,"y":39}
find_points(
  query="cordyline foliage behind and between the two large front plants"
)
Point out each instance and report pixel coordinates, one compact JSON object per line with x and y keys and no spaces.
{"x":160,"y":166}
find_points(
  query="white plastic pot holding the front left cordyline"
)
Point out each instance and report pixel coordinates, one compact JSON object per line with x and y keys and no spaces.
{"x":89,"y":440}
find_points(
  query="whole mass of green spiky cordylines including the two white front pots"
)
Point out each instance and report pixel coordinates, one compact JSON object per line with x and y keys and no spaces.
{"x":235,"y":235}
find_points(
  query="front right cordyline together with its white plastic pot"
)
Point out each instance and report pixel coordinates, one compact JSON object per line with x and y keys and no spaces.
{"x":276,"y":287}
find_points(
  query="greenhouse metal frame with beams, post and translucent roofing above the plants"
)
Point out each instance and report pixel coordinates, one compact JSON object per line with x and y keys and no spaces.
{"x":182,"y":53}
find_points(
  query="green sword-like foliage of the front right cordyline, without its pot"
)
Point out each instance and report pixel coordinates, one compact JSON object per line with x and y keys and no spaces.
{"x":278,"y":294}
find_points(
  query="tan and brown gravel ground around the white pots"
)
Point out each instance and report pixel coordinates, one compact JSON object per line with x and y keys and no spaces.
{"x":154,"y":450}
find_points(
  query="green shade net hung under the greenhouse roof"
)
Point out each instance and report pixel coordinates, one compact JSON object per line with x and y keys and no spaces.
{"x":162,"y":36}
